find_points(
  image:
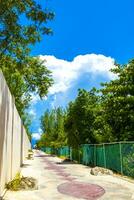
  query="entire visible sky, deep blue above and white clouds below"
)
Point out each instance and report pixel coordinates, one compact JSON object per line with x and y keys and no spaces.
{"x":89,"y":36}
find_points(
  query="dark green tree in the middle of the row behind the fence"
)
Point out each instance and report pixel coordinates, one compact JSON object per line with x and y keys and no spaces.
{"x":80,"y":118}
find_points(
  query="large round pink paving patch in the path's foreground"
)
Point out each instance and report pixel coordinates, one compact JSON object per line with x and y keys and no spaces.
{"x":81,"y":190}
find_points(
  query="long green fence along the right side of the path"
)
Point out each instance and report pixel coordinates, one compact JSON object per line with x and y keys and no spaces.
{"x":118,"y":157}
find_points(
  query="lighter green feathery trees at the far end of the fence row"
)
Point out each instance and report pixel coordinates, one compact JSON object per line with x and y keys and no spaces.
{"x":52,"y":123}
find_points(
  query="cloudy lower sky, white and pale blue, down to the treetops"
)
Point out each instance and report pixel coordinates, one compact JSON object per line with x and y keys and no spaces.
{"x":85,"y":71}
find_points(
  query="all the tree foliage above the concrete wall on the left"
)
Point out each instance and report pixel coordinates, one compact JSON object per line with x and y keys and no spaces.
{"x":22,"y":24}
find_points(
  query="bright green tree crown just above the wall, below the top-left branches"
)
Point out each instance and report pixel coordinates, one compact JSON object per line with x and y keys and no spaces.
{"x":34,"y":77}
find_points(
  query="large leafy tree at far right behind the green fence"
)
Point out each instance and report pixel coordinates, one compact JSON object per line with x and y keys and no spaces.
{"x":119,"y":102}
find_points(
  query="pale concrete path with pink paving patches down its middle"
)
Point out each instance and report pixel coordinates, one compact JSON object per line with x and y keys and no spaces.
{"x":58,"y":180}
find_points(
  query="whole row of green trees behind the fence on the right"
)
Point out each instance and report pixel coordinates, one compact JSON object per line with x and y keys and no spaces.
{"x":95,"y":116}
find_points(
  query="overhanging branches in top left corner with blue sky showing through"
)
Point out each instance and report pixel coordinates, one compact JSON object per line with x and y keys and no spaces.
{"x":16,"y":35}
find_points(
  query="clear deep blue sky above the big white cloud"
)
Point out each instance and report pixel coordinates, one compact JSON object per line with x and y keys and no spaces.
{"x":90,"y":26}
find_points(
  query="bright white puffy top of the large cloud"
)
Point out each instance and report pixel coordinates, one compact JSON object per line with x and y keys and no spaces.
{"x":65,"y":73}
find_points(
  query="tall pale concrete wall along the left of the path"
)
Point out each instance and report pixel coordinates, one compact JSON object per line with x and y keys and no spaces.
{"x":14,"y":142}
